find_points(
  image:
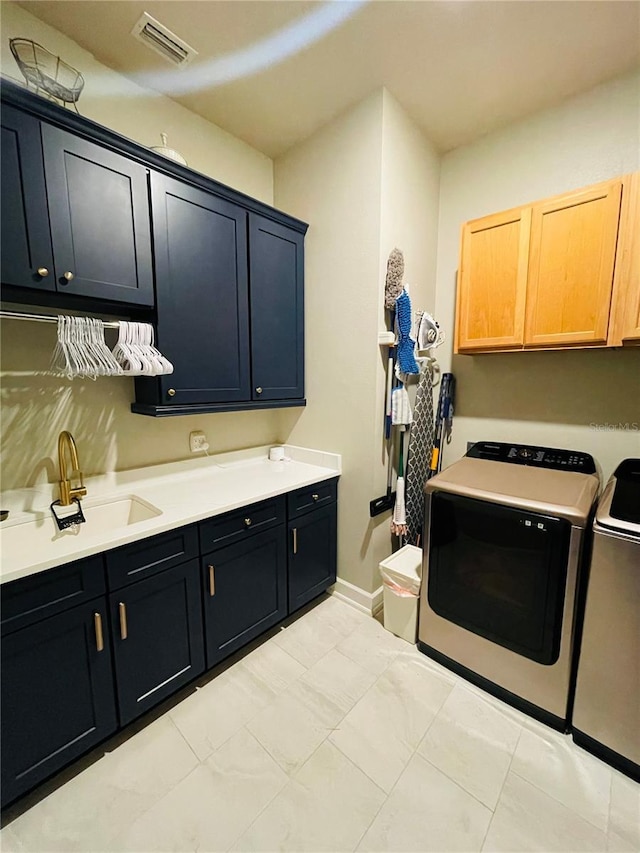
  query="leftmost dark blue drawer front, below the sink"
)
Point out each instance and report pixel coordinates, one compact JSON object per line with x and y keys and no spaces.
{"x":44,"y":594}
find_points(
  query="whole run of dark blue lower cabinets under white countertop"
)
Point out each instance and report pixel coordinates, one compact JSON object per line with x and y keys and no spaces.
{"x":71,"y":679}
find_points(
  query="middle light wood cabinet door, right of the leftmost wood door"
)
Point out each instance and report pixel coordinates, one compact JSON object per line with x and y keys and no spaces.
{"x":573,"y":247}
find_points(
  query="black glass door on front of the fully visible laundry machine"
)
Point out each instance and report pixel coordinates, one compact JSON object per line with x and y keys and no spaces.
{"x":499,"y":572}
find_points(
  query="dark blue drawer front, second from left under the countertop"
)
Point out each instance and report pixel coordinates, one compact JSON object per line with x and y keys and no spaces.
{"x":149,"y":556}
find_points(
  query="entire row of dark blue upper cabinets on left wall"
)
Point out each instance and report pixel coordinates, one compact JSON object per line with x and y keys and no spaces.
{"x":80,"y":203}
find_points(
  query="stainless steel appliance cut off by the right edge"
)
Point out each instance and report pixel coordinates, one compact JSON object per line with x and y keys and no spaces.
{"x":606,"y":715}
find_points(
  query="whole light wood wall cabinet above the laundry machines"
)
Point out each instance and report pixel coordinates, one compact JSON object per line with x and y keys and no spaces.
{"x":562,"y":272}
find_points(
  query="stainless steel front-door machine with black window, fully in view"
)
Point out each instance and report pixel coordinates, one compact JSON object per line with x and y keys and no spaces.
{"x":504,"y":537}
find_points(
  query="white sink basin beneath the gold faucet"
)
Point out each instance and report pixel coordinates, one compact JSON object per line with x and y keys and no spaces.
{"x":102,"y":517}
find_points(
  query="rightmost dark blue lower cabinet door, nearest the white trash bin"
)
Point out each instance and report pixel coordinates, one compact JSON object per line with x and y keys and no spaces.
{"x":312,"y":555}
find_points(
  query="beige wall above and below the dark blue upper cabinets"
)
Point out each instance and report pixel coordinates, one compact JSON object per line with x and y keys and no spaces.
{"x":35,"y":407}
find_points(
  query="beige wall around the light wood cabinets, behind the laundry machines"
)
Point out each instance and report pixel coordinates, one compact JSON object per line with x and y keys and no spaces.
{"x":575,"y":399}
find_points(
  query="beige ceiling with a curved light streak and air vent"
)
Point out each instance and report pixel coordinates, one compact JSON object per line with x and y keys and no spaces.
{"x":460,"y":69}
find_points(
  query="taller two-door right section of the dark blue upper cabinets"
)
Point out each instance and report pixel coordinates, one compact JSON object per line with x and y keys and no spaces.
{"x":230,"y":304}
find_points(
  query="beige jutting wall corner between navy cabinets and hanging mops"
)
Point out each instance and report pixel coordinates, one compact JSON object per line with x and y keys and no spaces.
{"x":366,"y":182}
